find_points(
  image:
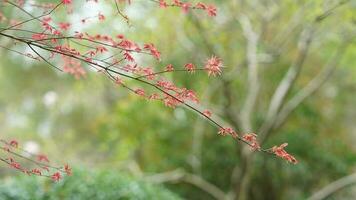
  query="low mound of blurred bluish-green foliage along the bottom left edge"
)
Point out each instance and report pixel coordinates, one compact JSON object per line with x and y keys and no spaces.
{"x":83,"y":184}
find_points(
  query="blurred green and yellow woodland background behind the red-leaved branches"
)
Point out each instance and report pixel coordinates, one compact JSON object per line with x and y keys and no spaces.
{"x":124,"y":147}
